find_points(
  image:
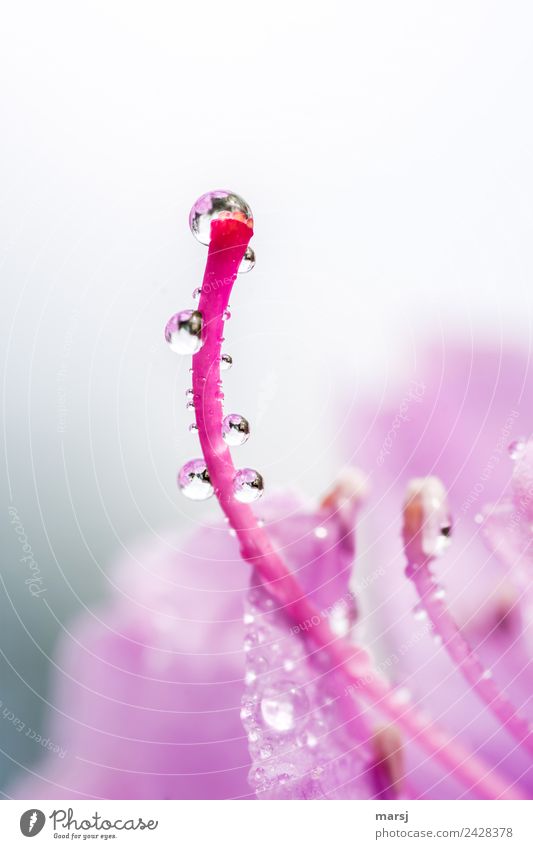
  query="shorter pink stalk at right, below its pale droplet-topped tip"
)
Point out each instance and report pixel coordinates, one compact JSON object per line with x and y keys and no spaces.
{"x":464,"y":657}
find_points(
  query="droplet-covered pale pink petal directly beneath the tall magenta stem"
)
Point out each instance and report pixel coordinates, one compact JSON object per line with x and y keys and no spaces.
{"x":290,"y":711}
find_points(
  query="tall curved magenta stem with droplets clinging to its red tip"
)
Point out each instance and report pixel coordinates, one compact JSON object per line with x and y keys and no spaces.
{"x":229,"y":239}
